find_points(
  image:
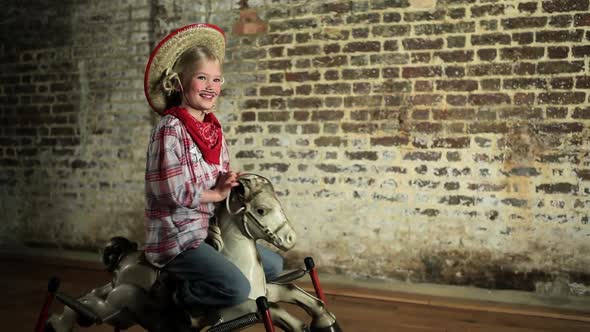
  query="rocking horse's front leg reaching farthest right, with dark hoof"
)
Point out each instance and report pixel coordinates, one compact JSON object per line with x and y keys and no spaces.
{"x":322,"y":319}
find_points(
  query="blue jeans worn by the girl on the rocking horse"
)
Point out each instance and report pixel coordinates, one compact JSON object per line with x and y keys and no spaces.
{"x":209,"y":279}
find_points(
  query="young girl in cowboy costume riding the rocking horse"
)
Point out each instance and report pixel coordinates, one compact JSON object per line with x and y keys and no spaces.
{"x":188,"y":171}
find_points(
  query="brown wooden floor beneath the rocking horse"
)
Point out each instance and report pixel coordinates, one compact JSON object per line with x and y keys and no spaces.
{"x":24,"y":284}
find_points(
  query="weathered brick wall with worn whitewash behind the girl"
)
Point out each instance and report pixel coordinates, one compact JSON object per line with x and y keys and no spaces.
{"x":441,"y":141}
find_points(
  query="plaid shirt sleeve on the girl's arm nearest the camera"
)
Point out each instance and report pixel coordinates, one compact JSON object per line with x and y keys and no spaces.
{"x":166,"y":182}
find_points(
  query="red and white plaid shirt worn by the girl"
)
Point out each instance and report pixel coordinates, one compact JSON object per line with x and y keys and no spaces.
{"x":176,"y":174}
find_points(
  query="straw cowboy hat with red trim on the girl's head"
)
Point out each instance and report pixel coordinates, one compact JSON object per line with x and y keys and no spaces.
{"x":165,"y":55}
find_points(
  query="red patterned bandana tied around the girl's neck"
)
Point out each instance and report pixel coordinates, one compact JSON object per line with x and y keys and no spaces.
{"x":207,"y":134}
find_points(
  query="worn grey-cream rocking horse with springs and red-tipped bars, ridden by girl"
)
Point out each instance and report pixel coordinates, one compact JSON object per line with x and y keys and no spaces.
{"x":140,"y":293}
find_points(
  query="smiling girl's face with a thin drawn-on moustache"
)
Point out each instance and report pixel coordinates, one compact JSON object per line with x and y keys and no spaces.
{"x":204,"y":87}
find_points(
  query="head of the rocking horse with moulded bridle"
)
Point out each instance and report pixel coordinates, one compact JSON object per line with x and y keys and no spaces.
{"x":263,"y":216}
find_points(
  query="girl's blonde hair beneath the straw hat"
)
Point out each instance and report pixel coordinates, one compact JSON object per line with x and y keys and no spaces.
{"x":182,"y":72}
